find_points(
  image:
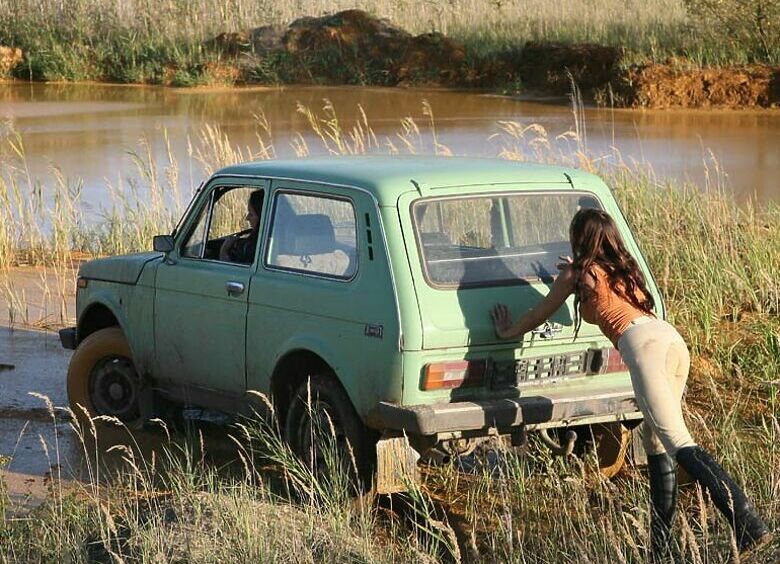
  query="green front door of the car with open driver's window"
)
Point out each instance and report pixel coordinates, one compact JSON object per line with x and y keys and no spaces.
{"x":201,"y":297}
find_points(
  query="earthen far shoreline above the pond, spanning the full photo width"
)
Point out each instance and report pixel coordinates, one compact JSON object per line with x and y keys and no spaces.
{"x":354,"y":48}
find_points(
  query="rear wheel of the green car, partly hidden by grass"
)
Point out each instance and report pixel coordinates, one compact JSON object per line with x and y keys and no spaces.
{"x":324,"y":431}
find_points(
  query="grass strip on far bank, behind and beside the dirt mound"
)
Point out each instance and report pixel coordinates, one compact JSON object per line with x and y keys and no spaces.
{"x":162,"y":42}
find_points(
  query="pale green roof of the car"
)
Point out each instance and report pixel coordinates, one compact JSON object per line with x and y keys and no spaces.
{"x":387,"y":177}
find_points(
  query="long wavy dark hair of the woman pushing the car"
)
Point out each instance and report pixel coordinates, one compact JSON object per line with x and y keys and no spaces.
{"x":596,"y":241}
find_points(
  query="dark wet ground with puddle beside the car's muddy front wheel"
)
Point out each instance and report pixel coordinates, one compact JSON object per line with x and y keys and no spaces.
{"x":39,"y":444}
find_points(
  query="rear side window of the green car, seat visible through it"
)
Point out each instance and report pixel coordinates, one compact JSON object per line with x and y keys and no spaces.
{"x":313,"y":234}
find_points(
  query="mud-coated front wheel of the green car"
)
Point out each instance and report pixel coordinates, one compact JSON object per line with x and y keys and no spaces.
{"x":102,"y":378}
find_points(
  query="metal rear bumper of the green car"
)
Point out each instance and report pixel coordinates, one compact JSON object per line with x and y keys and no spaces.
{"x":532,"y":411}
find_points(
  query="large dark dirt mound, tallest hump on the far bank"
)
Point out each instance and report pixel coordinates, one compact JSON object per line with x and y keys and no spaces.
{"x":344,"y":48}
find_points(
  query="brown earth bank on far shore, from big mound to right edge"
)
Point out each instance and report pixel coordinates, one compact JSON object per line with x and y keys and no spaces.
{"x":354,"y":47}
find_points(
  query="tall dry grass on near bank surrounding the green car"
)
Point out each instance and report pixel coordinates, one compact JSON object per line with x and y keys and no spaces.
{"x":716,"y":263}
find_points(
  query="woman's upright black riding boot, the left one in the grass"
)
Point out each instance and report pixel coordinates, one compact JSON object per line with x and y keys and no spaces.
{"x":663,"y":496}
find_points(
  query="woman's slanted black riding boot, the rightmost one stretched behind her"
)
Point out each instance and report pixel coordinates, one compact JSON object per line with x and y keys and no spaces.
{"x":749,"y":528}
